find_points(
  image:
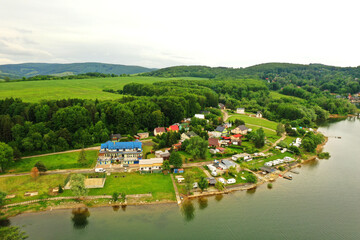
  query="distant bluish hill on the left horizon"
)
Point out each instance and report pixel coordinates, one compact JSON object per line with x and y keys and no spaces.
{"x":33,"y":69}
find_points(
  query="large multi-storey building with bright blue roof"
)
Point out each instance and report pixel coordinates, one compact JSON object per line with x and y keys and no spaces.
{"x":124,"y":153}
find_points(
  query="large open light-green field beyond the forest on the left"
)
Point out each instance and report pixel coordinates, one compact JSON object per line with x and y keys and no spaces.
{"x":34,"y":91}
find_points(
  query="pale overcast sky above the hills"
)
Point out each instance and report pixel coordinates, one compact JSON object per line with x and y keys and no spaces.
{"x":166,"y":33}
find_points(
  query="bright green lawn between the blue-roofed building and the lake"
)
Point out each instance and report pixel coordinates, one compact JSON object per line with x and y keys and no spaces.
{"x":158,"y":184}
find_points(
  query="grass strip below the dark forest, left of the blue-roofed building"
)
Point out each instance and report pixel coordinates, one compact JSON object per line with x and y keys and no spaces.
{"x":57,"y":161}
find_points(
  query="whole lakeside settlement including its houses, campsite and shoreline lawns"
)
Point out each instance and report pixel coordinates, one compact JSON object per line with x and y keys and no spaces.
{"x":182,"y":161}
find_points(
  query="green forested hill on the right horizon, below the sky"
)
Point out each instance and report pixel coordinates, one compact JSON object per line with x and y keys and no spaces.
{"x":340,"y":80}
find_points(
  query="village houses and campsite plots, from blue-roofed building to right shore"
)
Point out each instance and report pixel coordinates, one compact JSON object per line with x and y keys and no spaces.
{"x":226,"y":166}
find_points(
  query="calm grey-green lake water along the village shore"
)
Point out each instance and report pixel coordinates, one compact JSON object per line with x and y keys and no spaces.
{"x":322,"y":202}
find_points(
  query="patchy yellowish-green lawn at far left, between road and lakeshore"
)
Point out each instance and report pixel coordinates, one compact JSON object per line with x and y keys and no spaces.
{"x":18,"y":185}
